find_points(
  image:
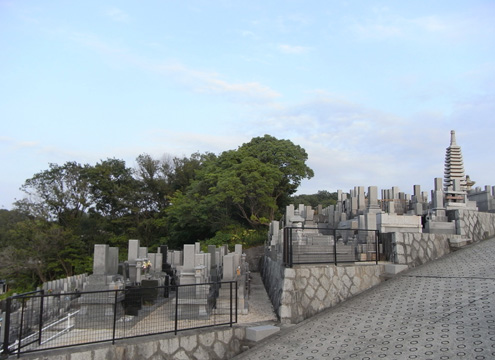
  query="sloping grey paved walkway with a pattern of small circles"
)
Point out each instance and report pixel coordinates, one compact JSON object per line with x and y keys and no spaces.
{"x":441,"y":310}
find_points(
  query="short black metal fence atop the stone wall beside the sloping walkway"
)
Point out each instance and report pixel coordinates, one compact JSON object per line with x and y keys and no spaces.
{"x":303,"y":245}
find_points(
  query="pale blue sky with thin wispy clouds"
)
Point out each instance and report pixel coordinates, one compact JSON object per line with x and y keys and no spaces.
{"x":370,"y":89}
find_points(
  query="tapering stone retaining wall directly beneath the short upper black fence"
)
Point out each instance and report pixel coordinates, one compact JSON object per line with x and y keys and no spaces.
{"x":302,"y":291}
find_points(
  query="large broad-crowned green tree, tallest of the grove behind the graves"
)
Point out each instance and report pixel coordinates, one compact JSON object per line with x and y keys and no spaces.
{"x":243,"y":186}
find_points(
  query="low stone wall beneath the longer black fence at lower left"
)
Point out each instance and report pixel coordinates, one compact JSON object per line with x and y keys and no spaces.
{"x":221,"y":343}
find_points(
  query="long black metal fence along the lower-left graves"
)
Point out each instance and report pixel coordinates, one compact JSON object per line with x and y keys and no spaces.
{"x":38,"y":321}
